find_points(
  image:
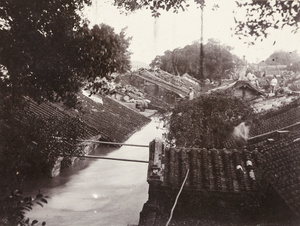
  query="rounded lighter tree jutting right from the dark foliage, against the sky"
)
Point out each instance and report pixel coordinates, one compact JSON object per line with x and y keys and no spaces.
{"x":102,"y":52}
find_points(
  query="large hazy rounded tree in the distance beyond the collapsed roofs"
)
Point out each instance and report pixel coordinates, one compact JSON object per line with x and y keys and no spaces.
{"x":218,"y":60}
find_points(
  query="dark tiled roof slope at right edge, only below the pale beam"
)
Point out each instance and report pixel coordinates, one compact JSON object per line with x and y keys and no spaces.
{"x":281,"y":150}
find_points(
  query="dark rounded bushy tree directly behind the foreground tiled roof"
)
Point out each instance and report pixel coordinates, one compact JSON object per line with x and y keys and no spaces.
{"x":206,"y":121}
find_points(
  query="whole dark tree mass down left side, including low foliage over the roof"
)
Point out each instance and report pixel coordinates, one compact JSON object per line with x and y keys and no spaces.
{"x":47,"y":52}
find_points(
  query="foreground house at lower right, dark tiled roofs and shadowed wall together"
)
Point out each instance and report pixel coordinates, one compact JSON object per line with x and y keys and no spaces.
{"x":255,"y":184}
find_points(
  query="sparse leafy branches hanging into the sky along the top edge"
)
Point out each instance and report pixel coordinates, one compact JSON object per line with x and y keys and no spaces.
{"x":259,"y":15}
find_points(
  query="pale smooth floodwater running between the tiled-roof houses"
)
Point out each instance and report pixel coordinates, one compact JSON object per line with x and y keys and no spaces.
{"x":99,"y":192}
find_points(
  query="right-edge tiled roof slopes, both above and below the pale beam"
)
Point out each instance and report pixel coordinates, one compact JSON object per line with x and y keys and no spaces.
{"x":276,"y":135}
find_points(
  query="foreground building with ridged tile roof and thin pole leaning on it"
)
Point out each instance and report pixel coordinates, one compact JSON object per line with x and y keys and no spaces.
{"x":216,"y":178}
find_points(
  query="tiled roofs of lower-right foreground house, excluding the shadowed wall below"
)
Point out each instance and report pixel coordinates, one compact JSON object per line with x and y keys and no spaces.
{"x":274,"y":152}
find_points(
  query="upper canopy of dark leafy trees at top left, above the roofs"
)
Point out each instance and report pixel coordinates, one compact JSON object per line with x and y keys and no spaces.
{"x":48,"y":53}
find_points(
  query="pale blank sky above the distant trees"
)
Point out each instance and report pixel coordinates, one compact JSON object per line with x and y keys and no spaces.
{"x":151,"y":37}
